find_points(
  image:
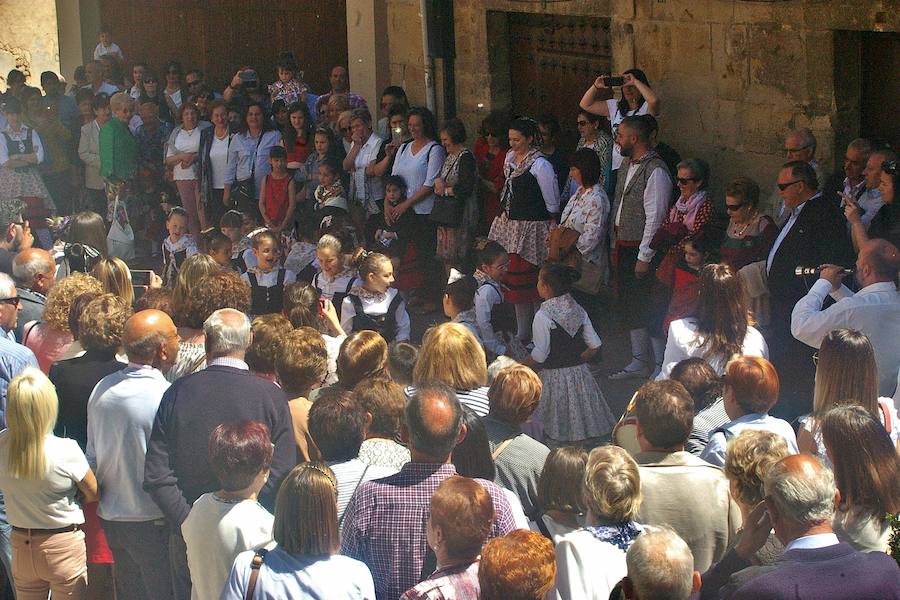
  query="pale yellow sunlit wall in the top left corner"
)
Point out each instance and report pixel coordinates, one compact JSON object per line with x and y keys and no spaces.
{"x":28,"y":38}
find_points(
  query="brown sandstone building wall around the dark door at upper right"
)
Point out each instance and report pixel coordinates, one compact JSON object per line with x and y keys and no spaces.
{"x":733,"y":75}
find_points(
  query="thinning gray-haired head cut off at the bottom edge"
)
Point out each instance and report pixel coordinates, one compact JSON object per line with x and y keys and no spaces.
{"x":660,"y":565}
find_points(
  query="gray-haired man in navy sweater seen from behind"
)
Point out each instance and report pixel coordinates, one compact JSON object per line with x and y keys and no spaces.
{"x":176,"y":471}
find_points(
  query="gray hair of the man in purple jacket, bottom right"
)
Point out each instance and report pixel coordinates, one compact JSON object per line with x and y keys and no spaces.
{"x":804,"y":496}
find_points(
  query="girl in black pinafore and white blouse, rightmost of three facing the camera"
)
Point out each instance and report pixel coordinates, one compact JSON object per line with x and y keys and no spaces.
{"x":375,"y":304}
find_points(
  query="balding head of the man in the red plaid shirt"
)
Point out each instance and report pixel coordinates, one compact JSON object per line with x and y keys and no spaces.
{"x":434,"y":421}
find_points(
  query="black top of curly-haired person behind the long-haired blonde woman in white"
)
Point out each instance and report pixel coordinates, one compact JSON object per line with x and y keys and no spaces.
{"x":75,"y":379}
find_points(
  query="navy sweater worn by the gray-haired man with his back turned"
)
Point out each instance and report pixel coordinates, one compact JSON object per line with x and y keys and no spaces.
{"x":176,"y":471}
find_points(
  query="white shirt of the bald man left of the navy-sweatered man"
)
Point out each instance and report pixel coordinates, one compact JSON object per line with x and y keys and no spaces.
{"x":121,"y":411}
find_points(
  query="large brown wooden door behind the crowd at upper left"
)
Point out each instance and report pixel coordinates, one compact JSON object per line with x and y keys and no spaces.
{"x":220,"y":36}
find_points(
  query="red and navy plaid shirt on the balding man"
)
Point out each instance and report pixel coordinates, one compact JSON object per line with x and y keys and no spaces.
{"x":384,"y":524}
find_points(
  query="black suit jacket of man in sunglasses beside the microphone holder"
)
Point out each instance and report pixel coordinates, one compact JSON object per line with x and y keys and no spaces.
{"x":818,"y":236}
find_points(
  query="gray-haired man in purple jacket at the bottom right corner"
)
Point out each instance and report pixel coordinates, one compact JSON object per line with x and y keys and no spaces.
{"x":799,"y":505}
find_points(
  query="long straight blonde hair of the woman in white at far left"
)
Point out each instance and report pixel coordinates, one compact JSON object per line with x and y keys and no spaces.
{"x":31,"y":411}
